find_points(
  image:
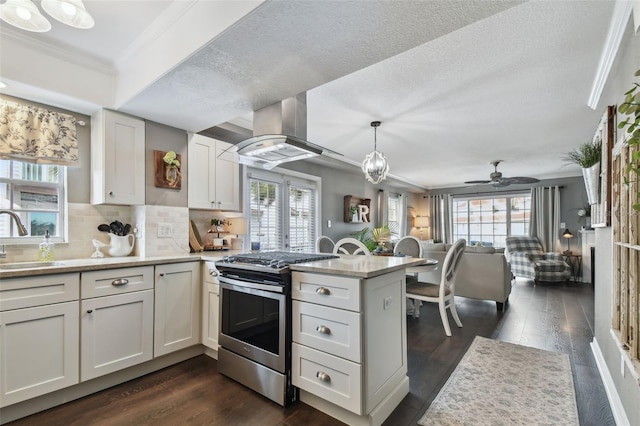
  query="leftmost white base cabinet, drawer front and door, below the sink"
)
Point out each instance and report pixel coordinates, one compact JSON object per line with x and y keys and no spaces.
{"x":39,"y":336}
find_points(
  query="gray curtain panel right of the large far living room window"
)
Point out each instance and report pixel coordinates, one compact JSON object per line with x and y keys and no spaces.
{"x":545,"y":217}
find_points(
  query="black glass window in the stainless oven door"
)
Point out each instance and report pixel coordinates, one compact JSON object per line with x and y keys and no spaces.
{"x":253,"y":319}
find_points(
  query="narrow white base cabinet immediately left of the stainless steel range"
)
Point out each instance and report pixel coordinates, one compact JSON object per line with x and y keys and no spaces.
{"x":210,"y":306}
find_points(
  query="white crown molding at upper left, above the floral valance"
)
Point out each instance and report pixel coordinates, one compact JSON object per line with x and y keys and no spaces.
{"x":76,"y":57}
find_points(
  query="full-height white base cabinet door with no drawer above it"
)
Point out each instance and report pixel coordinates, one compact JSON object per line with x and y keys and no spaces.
{"x":177,"y":307}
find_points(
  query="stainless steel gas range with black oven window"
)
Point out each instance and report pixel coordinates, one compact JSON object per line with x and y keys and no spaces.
{"x":255,"y":321}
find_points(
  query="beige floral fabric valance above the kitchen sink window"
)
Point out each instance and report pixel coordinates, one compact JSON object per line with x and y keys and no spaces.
{"x":36,"y":135}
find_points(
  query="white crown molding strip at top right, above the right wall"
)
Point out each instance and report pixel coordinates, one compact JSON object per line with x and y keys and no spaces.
{"x":621,"y":14}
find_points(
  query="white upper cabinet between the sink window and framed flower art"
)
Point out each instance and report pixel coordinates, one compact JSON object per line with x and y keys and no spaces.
{"x":117,"y":159}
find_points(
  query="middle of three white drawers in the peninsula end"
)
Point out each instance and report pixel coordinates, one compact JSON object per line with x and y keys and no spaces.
{"x":331,"y":330}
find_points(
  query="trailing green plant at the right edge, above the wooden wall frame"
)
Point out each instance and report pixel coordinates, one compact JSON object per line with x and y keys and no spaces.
{"x":631,"y":124}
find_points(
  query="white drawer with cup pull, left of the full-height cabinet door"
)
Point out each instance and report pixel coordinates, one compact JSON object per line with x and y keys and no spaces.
{"x":116,"y":281}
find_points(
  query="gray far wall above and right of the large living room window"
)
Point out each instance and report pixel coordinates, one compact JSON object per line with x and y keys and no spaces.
{"x":573,"y":196}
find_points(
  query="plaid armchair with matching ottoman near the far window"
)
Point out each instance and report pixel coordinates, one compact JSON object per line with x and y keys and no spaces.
{"x":528,"y":260}
